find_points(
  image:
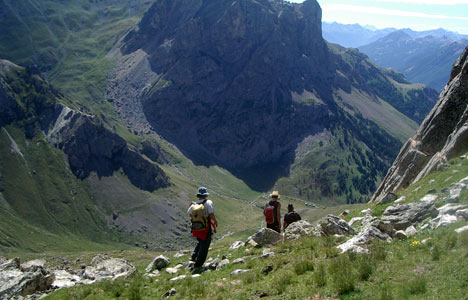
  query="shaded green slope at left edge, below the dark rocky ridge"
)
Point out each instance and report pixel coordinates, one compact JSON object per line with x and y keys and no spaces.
{"x":44,"y":205}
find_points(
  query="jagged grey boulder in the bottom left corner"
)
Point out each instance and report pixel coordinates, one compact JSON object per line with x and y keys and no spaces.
{"x":15,"y":283}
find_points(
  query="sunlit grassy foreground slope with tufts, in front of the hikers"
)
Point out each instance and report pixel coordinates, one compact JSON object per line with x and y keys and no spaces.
{"x":311,"y":268}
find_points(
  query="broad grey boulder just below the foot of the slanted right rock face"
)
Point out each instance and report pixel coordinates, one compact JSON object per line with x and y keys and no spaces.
{"x":403,"y":216}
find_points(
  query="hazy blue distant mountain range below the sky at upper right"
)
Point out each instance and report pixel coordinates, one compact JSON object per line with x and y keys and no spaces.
{"x":422,"y":56}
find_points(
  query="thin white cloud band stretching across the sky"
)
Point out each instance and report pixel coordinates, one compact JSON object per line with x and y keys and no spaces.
{"x":386,"y":12}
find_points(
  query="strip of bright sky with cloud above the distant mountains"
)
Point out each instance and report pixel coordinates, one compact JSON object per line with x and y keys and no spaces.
{"x":414,"y":14}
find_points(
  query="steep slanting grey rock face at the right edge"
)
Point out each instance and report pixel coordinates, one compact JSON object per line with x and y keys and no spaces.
{"x":442,"y":136}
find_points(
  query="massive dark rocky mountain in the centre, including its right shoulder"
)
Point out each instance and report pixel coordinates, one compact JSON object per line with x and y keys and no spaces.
{"x":243,"y":83}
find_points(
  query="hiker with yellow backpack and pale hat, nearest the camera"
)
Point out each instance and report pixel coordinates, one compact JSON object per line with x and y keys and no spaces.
{"x":203,"y":221}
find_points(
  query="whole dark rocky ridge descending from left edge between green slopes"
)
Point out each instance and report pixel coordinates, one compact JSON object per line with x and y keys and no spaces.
{"x":89,"y":146}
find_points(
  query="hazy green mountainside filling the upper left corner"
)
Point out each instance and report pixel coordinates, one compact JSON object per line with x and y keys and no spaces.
{"x":68,"y":41}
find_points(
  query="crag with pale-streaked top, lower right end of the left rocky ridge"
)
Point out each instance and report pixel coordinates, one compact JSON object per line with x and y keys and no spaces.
{"x":91,"y":147}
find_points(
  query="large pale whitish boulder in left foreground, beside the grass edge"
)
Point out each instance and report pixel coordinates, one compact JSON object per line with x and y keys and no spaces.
{"x":103,"y":267}
